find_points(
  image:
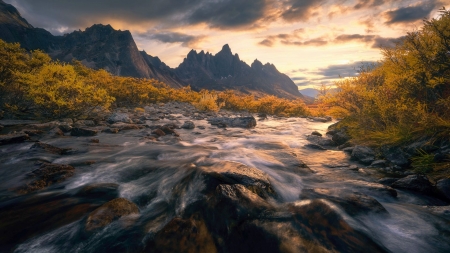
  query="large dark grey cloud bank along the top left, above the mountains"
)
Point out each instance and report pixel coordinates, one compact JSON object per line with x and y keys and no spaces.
{"x":221,"y":14}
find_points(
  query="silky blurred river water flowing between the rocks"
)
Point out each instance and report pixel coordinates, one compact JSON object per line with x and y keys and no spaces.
{"x":150,"y":173}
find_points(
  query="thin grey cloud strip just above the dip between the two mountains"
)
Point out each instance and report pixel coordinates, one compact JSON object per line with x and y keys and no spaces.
{"x":173,"y":37}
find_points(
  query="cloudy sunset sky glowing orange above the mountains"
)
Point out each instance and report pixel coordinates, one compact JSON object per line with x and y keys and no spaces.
{"x":314,"y":42}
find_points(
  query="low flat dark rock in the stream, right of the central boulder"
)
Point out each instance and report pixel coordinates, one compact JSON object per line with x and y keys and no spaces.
{"x":353,"y":203}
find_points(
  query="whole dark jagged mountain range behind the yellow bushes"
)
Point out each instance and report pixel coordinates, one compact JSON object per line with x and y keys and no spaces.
{"x":102,"y":47}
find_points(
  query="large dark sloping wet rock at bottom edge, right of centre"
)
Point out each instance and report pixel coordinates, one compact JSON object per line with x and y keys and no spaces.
{"x":321,"y":223}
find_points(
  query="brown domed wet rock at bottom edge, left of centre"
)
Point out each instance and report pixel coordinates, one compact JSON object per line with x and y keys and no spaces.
{"x":183,"y":235}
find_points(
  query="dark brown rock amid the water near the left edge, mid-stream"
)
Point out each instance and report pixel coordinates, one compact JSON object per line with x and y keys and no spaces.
{"x":46,"y":175}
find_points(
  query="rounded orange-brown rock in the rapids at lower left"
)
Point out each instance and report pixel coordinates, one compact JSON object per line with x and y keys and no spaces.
{"x":108,"y":212}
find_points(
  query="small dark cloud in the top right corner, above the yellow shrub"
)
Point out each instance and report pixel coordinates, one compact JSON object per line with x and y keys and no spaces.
{"x":412,"y":13}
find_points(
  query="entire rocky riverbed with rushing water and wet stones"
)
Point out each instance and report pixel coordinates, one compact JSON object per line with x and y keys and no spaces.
{"x":168,"y":178}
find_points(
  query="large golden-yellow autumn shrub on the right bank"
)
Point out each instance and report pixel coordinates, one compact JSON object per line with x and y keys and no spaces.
{"x":406,"y":95}
